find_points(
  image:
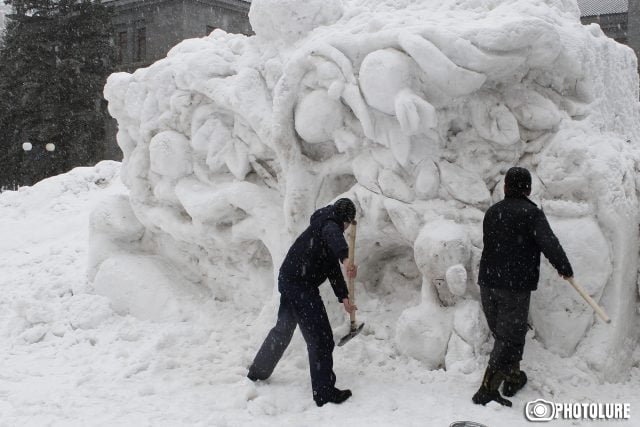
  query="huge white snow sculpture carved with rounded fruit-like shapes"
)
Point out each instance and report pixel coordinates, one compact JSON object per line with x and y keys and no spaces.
{"x":415,"y":110}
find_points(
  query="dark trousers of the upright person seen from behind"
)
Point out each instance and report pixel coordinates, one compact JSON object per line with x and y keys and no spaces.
{"x":506,"y":312}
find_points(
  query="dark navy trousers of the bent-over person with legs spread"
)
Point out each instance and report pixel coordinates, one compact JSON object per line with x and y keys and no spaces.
{"x":305,"y":309}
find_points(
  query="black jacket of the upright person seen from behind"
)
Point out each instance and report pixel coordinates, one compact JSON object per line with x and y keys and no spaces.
{"x":516,"y":231}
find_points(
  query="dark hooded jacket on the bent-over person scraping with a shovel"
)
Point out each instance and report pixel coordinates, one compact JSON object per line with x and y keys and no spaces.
{"x":315,"y":256}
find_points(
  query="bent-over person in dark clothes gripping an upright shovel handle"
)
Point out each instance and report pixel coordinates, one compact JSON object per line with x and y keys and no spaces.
{"x":314,"y":256}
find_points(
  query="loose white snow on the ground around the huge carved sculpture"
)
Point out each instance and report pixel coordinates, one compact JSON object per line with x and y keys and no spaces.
{"x":68,"y":360}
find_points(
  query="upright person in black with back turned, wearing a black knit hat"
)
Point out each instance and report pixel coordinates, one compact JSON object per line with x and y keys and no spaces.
{"x":515,"y":232}
